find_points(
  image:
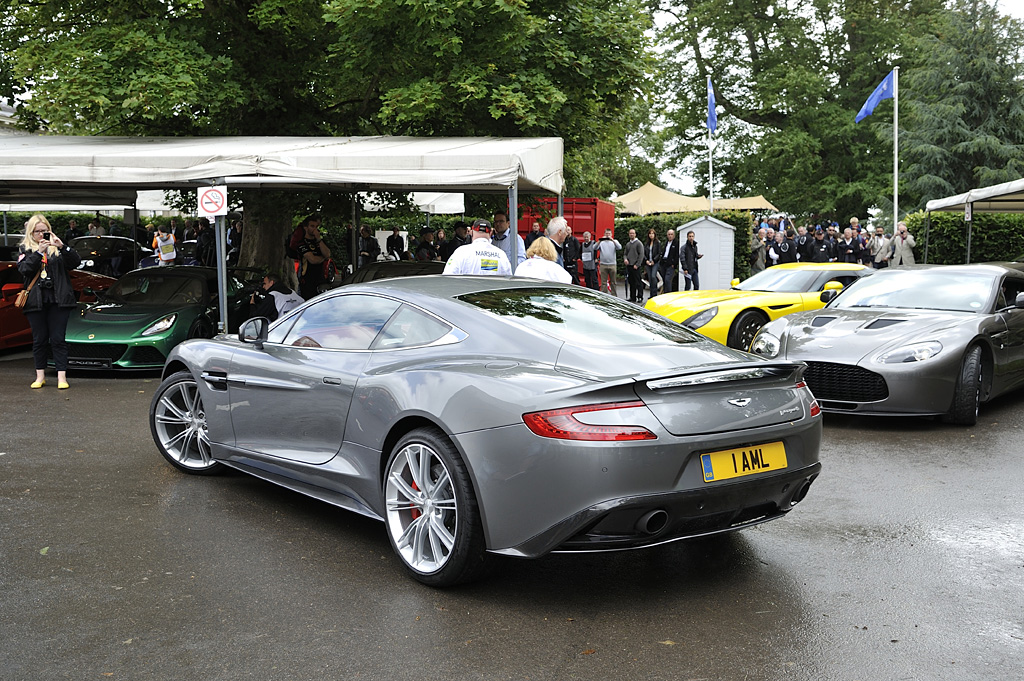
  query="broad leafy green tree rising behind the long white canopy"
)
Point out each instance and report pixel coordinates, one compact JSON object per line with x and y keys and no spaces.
{"x":554,"y":68}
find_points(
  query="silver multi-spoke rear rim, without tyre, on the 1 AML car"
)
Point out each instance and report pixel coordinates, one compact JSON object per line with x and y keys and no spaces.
{"x":422,"y":514}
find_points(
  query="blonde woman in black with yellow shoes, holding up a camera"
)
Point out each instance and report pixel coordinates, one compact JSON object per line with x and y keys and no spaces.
{"x":46,"y":264}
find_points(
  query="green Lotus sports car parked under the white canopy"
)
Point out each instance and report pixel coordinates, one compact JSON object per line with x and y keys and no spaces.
{"x":147,"y":313}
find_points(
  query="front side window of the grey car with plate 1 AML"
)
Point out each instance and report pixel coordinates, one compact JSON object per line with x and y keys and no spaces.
{"x":343,"y":323}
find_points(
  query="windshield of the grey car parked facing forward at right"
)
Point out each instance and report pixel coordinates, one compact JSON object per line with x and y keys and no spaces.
{"x":926,"y":289}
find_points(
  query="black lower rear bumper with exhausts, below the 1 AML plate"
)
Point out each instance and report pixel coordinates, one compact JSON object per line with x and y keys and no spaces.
{"x":635,"y":523}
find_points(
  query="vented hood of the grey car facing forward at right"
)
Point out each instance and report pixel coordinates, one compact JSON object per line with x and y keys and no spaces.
{"x":856,"y":334}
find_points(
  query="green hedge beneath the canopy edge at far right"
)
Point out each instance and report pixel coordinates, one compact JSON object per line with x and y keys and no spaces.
{"x":995,"y":237}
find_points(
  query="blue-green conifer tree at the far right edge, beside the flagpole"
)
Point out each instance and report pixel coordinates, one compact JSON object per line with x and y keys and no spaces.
{"x":964,"y":120}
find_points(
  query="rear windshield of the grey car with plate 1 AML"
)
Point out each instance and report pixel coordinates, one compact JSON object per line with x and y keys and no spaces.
{"x":581,"y":317}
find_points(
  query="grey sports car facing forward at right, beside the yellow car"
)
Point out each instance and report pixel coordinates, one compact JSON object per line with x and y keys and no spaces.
{"x":922,"y":340}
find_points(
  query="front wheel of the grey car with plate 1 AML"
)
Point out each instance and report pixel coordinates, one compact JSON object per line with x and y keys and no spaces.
{"x":181,"y":425}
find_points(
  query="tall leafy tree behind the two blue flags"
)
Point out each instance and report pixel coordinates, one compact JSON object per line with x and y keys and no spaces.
{"x":790,"y":76}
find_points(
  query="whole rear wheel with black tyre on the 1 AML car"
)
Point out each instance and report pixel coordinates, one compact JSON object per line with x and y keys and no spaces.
{"x":434,"y":524}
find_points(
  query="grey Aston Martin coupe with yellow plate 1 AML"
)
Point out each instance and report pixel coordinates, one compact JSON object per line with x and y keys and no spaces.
{"x":477,"y":415}
